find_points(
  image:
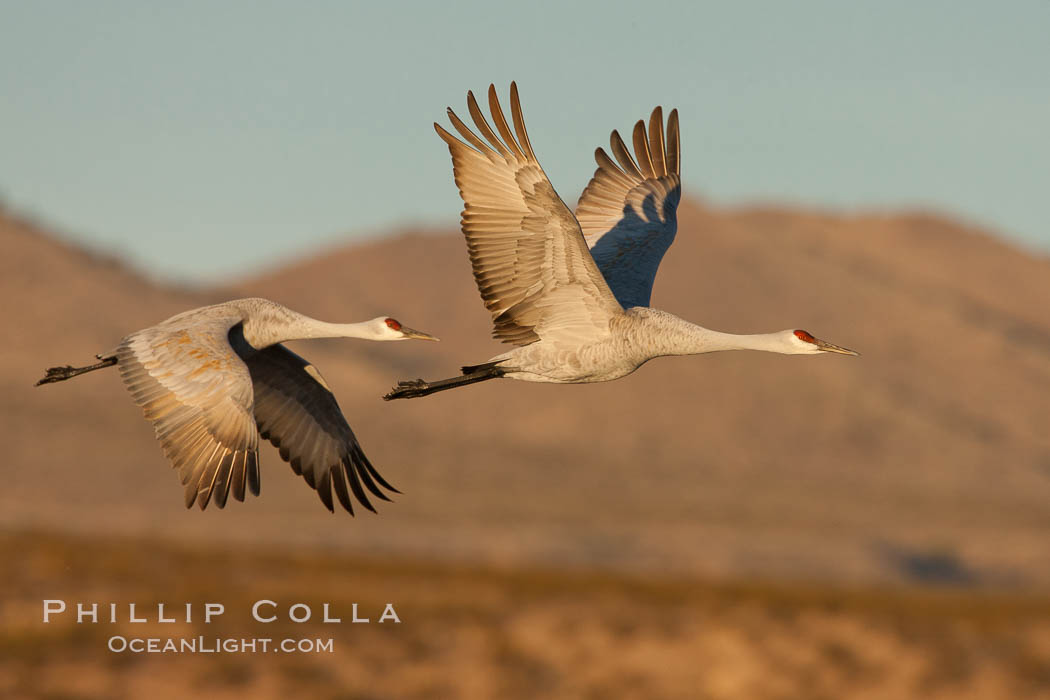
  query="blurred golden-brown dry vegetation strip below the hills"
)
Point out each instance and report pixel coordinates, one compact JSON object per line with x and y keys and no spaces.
{"x":485,"y":633}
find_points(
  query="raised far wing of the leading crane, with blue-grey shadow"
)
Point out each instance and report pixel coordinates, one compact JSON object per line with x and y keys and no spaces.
{"x":628,"y":213}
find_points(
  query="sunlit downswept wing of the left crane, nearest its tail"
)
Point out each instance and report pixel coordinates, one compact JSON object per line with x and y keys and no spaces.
{"x":196,"y":391}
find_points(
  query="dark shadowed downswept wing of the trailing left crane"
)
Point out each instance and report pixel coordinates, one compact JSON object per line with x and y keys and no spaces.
{"x":297,"y":412}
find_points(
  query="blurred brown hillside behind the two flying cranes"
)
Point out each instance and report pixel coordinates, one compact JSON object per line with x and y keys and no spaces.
{"x":928,"y":458}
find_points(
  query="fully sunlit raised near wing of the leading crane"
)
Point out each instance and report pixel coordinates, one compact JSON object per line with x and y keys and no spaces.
{"x":530,"y":258}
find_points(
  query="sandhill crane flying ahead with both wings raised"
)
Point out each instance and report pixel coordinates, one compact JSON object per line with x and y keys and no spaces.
{"x":573,"y":292}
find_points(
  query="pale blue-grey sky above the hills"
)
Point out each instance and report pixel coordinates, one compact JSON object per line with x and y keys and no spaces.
{"x":205,"y":141}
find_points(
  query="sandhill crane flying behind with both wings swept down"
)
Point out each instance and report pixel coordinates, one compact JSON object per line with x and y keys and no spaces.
{"x":214,"y":379}
